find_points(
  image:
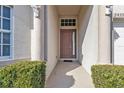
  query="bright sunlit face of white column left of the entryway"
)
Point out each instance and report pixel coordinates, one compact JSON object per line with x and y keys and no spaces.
{"x":36,"y":35}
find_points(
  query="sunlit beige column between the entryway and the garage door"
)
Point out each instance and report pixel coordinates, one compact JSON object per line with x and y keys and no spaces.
{"x":104,"y":36}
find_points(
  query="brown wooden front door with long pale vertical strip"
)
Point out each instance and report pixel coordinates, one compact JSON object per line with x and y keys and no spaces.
{"x":67,"y":43}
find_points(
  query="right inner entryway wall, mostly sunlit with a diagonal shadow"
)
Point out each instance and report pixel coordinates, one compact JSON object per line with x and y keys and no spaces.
{"x":88,"y":36}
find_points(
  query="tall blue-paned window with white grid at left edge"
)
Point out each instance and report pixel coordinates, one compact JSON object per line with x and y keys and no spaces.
{"x":5,"y":31}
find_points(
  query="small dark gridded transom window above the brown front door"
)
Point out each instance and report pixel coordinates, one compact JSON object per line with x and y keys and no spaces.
{"x":68,"y":22}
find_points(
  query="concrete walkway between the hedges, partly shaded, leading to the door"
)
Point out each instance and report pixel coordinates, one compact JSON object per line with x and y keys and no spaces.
{"x":69,"y":75}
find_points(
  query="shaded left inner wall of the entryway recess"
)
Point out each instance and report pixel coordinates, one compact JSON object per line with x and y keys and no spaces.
{"x":52,"y":28}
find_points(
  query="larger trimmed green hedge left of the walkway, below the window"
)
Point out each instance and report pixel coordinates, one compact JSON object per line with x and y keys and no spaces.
{"x":24,"y":74}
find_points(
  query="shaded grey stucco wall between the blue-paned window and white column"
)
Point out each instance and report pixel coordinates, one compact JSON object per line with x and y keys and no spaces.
{"x":22,"y":35}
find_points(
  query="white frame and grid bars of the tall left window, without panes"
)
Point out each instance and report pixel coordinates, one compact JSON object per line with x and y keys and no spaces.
{"x":6,"y":58}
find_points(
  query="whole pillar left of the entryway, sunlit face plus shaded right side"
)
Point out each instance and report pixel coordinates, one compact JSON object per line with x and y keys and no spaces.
{"x":37,"y":34}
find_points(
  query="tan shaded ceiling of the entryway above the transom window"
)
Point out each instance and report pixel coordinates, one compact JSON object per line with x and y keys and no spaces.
{"x":68,"y":10}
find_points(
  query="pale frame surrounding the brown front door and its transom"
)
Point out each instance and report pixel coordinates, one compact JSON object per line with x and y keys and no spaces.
{"x":69,"y":27}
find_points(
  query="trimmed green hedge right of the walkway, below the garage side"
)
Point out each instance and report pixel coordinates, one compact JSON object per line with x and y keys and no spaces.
{"x":108,"y":76}
